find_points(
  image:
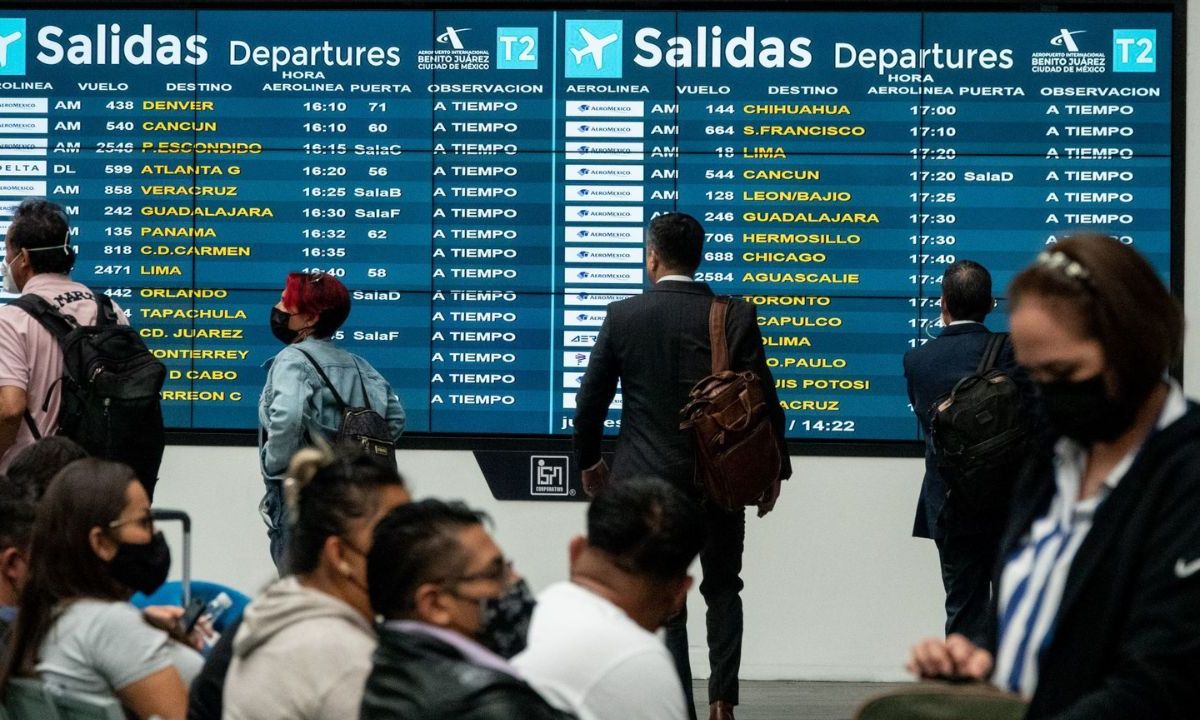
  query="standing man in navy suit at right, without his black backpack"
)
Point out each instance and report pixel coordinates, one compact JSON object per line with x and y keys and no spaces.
{"x":967,"y":542}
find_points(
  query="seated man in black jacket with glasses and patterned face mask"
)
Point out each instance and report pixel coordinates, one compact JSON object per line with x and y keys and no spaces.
{"x":439,"y":579}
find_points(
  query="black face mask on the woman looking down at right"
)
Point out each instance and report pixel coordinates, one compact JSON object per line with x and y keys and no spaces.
{"x":1083,"y":412}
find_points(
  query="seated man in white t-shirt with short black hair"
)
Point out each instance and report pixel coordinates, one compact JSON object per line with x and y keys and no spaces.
{"x":592,"y":644}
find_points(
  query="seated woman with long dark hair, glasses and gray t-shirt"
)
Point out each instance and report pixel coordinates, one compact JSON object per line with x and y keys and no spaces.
{"x":94,"y":547}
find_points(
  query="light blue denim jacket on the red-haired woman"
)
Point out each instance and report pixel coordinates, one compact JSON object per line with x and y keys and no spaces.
{"x":296,"y":400}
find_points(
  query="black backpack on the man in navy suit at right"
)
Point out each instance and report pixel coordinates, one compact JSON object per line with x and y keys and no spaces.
{"x":981,"y":433}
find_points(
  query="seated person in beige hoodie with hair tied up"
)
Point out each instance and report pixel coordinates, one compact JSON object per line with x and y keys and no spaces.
{"x":304,"y":646}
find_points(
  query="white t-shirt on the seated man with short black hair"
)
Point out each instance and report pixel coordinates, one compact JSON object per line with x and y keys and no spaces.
{"x":587,"y":657}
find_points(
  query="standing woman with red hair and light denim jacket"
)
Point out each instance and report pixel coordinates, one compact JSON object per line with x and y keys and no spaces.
{"x":299,"y":404}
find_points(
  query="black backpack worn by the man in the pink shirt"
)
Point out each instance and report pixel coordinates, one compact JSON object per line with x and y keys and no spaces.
{"x":111,"y":385}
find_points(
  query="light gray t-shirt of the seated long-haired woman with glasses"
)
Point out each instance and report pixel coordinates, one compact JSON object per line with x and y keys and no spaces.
{"x":98,"y":647}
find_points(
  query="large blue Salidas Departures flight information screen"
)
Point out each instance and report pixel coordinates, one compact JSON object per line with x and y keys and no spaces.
{"x":481,"y":181}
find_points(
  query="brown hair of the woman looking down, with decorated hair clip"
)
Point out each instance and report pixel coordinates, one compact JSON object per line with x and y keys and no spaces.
{"x":1113,"y":296}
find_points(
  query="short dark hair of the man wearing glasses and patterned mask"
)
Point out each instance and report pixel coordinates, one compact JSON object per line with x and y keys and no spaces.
{"x":413,"y":545}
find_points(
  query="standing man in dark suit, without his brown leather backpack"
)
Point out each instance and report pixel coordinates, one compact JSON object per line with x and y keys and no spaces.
{"x":657,"y":346}
